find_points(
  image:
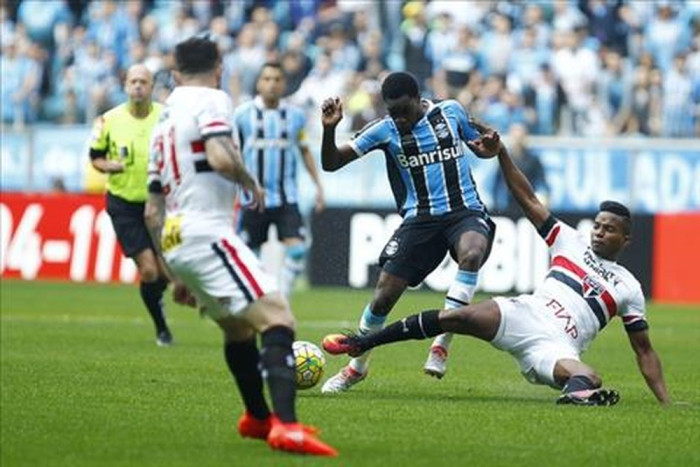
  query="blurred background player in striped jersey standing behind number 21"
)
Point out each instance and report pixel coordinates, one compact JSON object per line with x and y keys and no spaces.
{"x":273,"y":137}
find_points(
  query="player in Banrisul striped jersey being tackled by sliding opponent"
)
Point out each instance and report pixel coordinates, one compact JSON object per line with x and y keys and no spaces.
{"x":424,"y":147}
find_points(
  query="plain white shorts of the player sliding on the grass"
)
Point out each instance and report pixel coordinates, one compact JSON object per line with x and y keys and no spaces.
{"x":536,"y":341}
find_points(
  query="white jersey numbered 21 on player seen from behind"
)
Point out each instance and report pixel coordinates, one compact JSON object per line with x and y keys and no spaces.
{"x":193,"y":191}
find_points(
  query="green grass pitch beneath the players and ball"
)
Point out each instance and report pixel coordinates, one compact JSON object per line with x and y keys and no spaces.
{"x":83,"y":384}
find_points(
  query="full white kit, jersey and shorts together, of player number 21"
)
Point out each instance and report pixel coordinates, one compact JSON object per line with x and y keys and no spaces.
{"x":198,"y":238}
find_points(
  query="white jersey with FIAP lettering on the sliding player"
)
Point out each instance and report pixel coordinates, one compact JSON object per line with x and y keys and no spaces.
{"x":584,"y":290}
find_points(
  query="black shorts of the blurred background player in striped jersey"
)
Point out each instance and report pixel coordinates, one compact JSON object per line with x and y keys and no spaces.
{"x":286,"y":219}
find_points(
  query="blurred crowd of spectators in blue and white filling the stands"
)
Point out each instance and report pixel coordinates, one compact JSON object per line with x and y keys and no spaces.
{"x":585,"y":68}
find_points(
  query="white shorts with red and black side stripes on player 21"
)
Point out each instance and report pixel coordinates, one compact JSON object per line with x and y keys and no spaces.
{"x":221,"y":271}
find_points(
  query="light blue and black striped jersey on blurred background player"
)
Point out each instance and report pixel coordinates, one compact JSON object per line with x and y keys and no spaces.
{"x":271,"y":141}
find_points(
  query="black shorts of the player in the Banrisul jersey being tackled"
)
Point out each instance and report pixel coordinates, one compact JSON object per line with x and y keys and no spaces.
{"x":419,"y":245}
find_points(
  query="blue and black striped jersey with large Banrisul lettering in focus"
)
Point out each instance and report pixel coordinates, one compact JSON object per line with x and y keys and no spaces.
{"x":427,"y":168}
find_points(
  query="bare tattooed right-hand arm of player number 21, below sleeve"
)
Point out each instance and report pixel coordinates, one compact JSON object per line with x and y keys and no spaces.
{"x":224,"y":157}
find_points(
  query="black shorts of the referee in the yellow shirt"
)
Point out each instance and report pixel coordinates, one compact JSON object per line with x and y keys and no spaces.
{"x":129,"y":225}
